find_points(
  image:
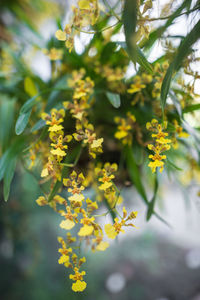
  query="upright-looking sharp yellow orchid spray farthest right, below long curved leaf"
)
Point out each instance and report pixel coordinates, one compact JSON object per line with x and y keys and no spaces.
{"x":160,"y":145}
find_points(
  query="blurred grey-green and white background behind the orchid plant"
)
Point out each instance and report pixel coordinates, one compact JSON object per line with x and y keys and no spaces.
{"x":154,"y":262}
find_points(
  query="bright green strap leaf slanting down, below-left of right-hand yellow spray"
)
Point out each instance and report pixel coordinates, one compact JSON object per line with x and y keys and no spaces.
{"x":134,"y":173}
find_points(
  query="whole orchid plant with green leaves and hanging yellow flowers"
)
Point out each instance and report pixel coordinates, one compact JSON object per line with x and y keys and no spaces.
{"x":87,"y":126}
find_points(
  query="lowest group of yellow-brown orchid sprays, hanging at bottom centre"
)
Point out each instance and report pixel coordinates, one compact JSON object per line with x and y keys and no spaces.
{"x":78,"y":210}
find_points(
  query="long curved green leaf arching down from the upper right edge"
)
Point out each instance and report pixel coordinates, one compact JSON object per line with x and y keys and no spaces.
{"x":182,"y":52}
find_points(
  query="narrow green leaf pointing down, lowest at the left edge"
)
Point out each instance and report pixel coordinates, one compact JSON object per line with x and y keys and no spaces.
{"x":10,"y":170}
